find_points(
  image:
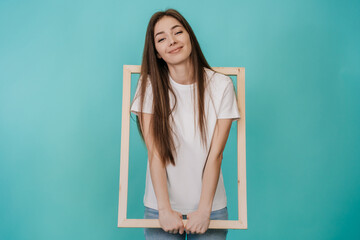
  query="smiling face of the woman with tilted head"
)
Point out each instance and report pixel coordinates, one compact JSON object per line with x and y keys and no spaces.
{"x":172,"y":41}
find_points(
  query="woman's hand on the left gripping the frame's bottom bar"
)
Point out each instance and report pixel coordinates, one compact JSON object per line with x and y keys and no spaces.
{"x":171,"y":221}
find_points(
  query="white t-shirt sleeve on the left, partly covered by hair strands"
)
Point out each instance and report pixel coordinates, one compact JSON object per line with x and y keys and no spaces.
{"x":148,"y":100}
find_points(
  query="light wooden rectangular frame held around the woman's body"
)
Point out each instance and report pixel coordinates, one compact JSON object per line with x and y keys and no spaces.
{"x":241,"y":223}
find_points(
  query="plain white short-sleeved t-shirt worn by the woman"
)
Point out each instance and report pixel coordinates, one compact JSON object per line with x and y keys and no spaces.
{"x":185,"y":178}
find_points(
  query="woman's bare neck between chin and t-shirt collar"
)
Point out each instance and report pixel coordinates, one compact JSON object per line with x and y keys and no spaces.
{"x":182,"y":73}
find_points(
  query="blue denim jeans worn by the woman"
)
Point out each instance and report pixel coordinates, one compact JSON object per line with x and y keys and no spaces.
{"x":210,"y":234}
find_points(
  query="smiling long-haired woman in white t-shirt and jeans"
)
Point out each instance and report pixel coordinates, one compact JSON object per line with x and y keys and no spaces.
{"x":184,"y":113}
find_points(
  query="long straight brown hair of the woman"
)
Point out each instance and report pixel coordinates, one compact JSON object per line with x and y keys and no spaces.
{"x":156,"y":70}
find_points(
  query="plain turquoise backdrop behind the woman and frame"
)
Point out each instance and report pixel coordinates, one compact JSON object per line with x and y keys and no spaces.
{"x":60,"y":114}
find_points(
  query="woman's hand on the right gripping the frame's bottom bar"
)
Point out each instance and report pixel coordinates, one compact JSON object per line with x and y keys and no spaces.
{"x":198,"y":222}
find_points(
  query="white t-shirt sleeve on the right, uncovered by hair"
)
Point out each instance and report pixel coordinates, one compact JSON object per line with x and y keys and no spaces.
{"x":228,"y":106}
